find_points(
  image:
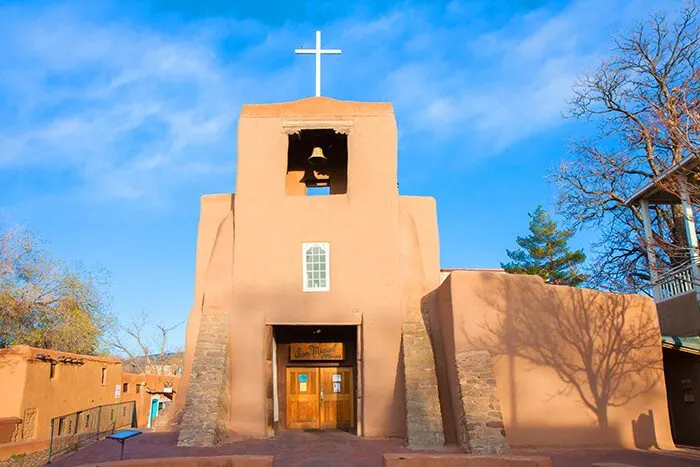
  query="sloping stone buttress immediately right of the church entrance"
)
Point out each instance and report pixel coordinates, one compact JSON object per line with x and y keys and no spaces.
{"x":424,"y":430}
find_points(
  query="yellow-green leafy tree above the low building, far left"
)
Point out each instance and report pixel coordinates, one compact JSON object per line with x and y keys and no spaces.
{"x":44,"y":303}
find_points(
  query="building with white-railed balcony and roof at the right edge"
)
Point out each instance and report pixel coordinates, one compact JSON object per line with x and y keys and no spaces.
{"x":676,"y":291}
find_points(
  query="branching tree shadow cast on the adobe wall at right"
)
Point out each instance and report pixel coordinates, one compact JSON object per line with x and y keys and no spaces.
{"x":605,"y":348}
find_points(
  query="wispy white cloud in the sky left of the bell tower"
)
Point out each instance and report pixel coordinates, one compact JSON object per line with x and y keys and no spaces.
{"x":129,"y":108}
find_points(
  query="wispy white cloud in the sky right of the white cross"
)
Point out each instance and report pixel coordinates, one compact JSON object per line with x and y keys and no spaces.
{"x":510,"y":83}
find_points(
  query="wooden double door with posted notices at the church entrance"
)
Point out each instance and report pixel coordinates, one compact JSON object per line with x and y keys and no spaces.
{"x":320,"y":397}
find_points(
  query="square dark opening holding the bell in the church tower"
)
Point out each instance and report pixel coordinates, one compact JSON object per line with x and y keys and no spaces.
{"x":317,"y":163}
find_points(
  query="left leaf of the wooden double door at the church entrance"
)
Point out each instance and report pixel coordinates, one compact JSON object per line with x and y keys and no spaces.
{"x":302,"y":398}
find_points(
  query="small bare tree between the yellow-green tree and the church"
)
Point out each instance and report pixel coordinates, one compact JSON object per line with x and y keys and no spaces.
{"x":147,"y":353}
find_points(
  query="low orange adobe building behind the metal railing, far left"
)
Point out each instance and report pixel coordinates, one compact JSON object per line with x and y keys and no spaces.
{"x":41,"y":388}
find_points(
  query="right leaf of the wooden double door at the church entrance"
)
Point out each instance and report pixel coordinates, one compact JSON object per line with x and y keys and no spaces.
{"x":337,"y":398}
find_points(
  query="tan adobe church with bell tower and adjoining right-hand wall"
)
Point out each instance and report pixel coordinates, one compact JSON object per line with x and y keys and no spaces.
{"x":319,"y":305}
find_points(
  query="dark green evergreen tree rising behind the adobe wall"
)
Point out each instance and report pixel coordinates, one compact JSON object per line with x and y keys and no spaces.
{"x":545,"y":253}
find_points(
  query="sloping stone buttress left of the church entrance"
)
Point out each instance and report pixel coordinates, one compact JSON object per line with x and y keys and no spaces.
{"x":206,"y":409}
